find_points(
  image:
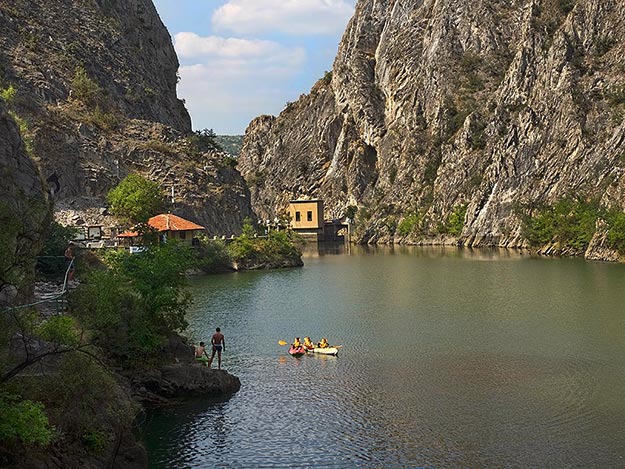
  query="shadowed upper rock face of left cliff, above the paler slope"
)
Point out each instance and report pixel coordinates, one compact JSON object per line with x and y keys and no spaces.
{"x":122,"y":45}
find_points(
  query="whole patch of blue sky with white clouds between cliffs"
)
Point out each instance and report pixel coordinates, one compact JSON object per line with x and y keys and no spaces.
{"x":243,"y":58}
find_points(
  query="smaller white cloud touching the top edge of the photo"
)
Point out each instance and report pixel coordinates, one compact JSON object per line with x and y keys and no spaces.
{"x":297,"y":17}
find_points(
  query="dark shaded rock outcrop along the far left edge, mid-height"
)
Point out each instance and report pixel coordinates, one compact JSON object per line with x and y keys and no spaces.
{"x":24,"y":214}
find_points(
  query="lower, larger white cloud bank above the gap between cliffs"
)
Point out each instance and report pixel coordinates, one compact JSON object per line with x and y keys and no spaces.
{"x":227,"y":81}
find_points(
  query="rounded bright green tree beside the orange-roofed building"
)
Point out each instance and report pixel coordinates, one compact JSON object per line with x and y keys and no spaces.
{"x":136,"y":199}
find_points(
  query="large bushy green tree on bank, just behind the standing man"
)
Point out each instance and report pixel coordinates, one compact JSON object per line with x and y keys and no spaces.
{"x":132,"y":306}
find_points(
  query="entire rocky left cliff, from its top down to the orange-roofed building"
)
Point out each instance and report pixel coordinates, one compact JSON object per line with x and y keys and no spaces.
{"x":95,"y":85}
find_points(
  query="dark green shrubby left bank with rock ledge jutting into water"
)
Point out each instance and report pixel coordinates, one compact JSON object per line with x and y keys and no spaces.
{"x":72,"y":384}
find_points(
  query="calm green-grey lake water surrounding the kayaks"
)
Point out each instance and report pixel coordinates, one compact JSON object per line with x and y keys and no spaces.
{"x":450,"y":358}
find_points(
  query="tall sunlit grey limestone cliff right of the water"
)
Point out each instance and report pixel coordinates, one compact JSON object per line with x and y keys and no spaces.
{"x":436,"y":105}
